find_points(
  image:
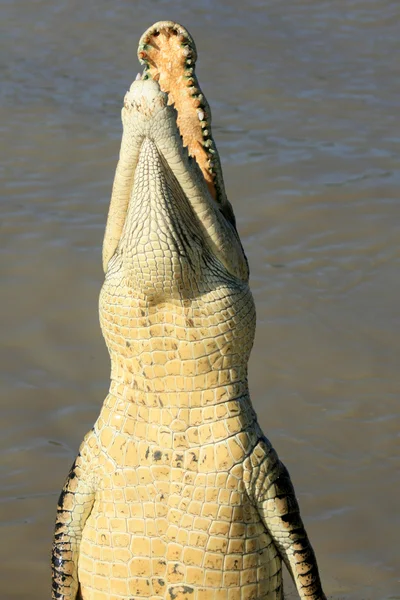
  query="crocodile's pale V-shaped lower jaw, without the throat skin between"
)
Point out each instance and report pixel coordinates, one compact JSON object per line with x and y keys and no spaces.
{"x":146,"y":113}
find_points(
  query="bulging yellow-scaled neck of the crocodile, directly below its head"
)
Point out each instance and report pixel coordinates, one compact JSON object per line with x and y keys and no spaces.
{"x":187,"y":353}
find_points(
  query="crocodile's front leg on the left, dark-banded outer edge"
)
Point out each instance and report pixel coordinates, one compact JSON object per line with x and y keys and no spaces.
{"x":74,"y":506}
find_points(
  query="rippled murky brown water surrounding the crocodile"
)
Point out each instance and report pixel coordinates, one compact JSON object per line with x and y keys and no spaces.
{"x":306,"y":107}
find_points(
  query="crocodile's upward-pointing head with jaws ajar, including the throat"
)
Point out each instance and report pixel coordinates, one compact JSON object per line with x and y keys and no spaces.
{"x":170,"y":224}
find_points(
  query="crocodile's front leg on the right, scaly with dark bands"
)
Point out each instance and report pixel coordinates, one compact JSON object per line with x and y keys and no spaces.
{"x":272,"y":491}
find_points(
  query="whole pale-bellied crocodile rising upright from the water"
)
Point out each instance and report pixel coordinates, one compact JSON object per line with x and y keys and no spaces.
{"x":176,"y":493}
